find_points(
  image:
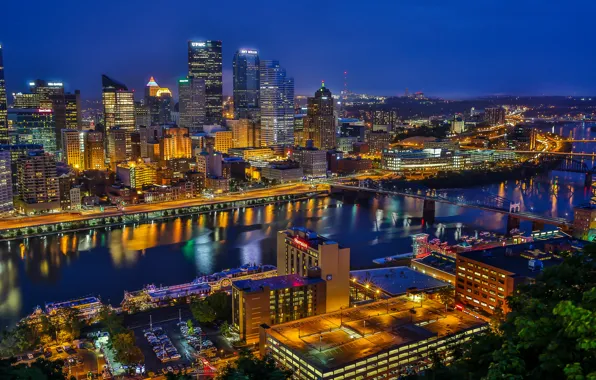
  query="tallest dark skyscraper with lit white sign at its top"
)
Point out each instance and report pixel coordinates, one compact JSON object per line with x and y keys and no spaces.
{"x":205,"y":62}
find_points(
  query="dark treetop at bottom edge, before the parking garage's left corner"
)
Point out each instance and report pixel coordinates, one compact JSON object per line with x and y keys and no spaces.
{"x":249,"y":367}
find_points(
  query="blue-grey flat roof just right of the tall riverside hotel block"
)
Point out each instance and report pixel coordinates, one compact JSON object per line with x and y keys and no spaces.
{"x":396,"y":280}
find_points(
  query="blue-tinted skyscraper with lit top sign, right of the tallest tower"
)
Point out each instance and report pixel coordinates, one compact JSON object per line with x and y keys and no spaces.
{"x":247,"y":83}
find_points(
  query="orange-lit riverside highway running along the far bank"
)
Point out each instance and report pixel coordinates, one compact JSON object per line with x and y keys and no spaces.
{"x":39,"y":220}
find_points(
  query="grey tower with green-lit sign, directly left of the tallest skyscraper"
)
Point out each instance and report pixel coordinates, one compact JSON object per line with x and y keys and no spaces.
{"x":191,"y":93}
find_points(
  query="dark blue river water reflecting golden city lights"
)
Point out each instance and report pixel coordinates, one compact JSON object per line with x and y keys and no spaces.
{"x":107,"y":262}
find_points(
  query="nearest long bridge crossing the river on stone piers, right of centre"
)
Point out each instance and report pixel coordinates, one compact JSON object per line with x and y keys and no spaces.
{"x":481,"y":200}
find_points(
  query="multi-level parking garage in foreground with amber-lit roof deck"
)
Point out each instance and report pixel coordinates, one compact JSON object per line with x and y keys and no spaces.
{"x":381,"y":340}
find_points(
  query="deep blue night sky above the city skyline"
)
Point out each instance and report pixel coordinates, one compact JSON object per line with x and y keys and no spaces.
{"x":451,"y":48}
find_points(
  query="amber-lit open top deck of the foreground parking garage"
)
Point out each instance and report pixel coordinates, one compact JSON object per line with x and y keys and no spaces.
{"x":334,"y":340}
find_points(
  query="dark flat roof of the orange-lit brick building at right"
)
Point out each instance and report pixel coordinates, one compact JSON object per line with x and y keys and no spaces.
{"x":514,"y":258}
